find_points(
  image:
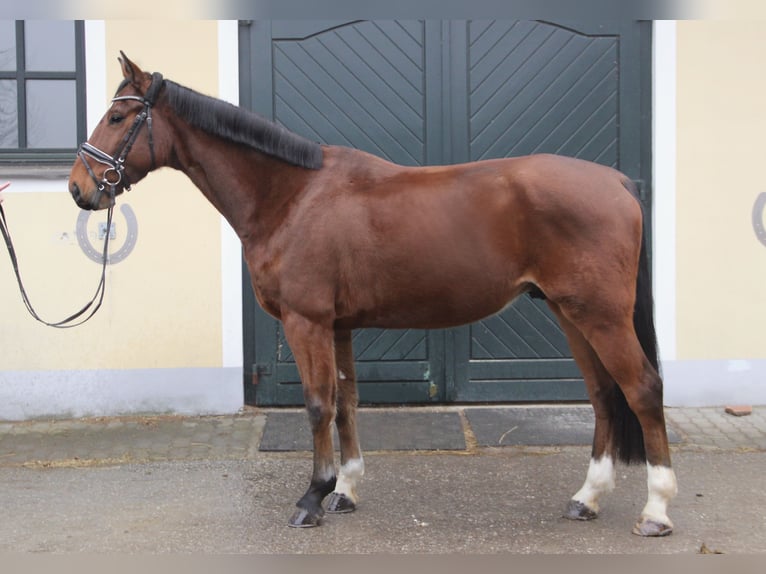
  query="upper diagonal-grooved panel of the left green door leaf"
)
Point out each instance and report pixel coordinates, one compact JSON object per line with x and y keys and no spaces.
{"x":358,"y":85}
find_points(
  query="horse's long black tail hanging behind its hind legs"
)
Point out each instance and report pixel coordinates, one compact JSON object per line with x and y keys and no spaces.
{"x":628,"y":437}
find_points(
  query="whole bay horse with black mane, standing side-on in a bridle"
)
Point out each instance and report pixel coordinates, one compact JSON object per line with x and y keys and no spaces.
{"x":337,"y":239}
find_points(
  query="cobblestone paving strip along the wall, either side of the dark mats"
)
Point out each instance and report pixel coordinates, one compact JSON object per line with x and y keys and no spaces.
{"x":138,"y":439}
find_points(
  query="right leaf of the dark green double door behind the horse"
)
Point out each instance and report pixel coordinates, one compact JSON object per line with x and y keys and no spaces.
{"x":533,"y":87}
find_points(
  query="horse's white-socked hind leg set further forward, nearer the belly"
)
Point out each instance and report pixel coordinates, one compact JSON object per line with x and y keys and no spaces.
{"x":584,"y":505}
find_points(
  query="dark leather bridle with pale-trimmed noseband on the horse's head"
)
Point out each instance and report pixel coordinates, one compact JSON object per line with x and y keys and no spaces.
{"x":115,"y":174}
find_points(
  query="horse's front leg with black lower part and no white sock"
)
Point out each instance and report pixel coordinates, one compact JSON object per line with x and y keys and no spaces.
{"x":312,"y":346}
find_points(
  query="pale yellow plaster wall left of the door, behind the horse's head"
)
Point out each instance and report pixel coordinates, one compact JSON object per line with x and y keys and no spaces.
{"x":163,"y":302}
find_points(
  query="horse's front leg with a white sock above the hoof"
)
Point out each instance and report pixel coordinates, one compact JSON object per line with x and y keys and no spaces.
{"x":344,"y":498}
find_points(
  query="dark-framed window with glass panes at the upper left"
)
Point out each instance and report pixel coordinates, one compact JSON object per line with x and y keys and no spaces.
{"x":42,"y":91}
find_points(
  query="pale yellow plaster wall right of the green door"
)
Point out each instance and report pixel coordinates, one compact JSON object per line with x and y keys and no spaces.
{"x":721,"y":122}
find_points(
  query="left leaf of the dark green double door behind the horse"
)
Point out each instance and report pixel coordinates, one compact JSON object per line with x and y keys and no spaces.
{"x":357,"y":84}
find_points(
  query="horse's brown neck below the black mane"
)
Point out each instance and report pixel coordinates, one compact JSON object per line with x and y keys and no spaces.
{"x":250,"y":189}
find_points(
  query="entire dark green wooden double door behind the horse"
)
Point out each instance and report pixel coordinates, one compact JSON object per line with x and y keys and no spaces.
{"x":439,"y":92}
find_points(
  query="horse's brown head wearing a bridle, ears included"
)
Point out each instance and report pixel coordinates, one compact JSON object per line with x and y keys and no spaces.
{"x":123,"y":147}
